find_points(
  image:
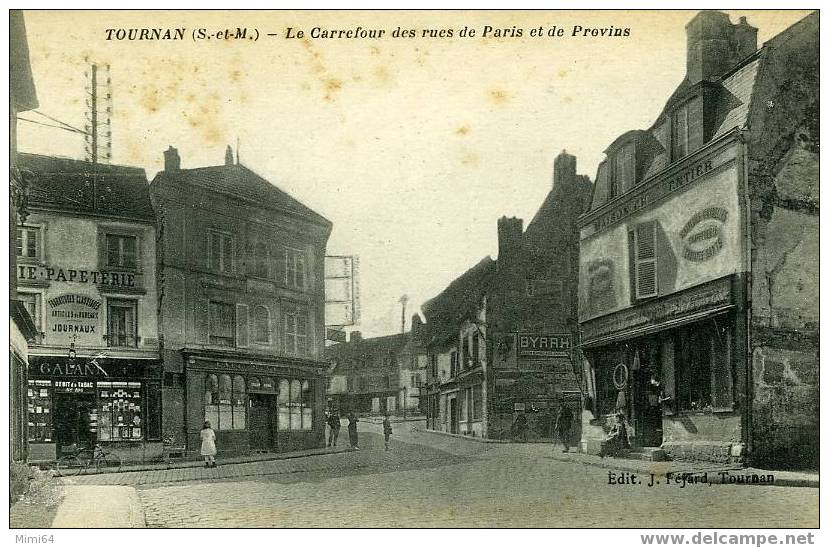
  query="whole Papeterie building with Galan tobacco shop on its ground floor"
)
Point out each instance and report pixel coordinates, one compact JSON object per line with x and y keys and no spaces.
{"x":86,"y":272}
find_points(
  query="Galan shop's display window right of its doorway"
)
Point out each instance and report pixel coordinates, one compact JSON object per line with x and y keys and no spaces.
{"x":121,"y":417}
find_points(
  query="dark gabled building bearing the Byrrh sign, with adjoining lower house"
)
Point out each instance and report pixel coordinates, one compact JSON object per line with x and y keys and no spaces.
{"x":503,"y":335}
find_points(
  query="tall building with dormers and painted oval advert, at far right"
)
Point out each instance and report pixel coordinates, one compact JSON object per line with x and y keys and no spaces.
{"x":698,"y":267}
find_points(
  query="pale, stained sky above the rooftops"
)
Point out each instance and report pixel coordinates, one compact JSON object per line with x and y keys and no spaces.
{"x":412,"y":147}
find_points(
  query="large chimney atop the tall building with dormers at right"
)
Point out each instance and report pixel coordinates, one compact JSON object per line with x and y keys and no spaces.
{"x":710,"y":46}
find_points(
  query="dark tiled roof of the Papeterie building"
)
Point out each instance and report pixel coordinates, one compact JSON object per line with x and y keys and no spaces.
{"x":78,"y":186}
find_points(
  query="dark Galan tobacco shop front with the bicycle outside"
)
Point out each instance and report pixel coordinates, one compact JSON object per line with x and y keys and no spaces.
{"x":83,"y":402}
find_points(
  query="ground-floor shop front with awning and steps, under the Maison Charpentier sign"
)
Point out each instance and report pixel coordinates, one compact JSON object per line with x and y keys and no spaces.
{"x":671,"y":367}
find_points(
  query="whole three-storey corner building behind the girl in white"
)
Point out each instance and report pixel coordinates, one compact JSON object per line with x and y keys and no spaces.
{"x":242,"y":309}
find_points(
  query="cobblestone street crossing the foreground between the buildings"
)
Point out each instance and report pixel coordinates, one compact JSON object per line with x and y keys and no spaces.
{"x":428,"y":480}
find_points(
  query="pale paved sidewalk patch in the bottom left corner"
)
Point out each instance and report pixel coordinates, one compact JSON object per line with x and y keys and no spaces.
{"x":83,"y":507}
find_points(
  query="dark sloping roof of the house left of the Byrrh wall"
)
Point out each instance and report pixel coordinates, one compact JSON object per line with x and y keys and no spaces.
{"x":458,"y":302}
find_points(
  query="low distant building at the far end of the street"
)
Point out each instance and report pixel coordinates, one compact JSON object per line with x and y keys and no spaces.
{"x":379,"y":375}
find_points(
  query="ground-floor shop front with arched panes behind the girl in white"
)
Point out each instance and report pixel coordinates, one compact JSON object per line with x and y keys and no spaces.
{"x":254,"y":407}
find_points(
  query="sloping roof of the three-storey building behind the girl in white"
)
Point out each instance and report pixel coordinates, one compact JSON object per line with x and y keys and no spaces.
{"x":240,"y":182}
